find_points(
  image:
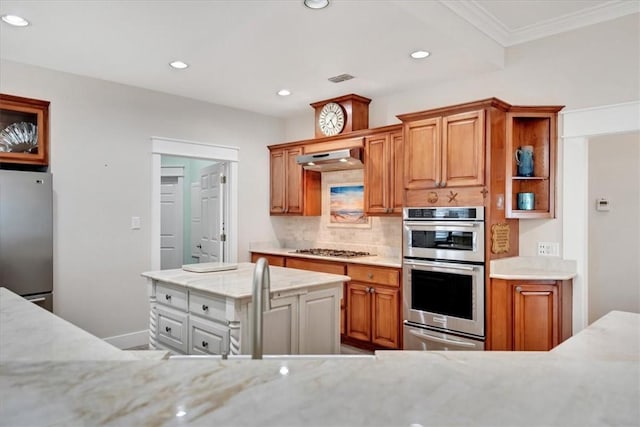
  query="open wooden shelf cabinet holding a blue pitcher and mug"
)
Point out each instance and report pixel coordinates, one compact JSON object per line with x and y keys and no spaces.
{"x":534,"y":127}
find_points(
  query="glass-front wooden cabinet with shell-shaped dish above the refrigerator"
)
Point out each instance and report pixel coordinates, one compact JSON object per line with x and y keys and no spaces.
{"x":24,"y":123}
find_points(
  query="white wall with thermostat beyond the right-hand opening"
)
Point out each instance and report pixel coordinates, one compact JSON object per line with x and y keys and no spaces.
{"x":614,"y":236}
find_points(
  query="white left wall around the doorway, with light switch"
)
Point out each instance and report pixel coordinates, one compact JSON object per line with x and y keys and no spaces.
{"x":101,"y":164}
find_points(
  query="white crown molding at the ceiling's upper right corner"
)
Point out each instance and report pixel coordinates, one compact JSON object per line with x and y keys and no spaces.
{"x":479,"y":17}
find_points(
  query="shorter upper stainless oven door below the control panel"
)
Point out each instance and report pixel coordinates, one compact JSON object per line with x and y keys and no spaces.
{"x":455,"y":241}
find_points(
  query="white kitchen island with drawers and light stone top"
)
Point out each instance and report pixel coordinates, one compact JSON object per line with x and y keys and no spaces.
{"x":209,"y":313}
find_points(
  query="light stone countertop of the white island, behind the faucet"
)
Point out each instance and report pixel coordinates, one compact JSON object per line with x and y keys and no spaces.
{"x":238,"y":283}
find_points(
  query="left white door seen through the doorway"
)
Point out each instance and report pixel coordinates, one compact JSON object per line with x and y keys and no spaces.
{"x":171,"y":207}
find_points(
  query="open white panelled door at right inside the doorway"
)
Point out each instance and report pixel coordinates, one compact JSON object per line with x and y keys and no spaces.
{"x":212,"y":202}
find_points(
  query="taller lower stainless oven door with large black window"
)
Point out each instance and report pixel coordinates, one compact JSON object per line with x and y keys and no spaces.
{"x":444,"y":295}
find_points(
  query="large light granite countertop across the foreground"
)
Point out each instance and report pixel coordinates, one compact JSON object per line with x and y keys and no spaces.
{"x":577,"y":384}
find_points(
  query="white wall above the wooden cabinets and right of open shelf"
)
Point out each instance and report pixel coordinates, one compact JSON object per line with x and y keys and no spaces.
{"x":592,"y":66}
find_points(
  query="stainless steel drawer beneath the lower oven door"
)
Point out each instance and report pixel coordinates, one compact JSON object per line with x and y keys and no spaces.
{"x":417,"y":338}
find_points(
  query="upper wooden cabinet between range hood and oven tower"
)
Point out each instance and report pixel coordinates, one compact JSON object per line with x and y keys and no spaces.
{"x":383,"y":177}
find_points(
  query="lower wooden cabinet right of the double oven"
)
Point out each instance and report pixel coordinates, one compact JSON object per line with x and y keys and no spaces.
{"x":530,"y":315}
